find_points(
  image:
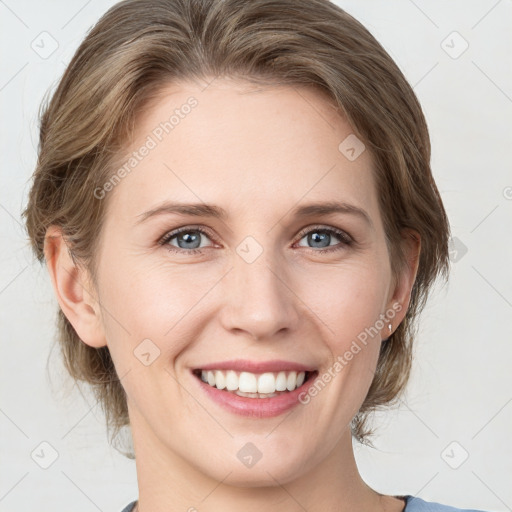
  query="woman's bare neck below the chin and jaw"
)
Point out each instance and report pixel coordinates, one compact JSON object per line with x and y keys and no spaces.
{"x":167,"y":483}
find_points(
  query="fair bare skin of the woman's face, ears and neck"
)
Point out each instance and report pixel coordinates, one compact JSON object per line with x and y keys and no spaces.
{"x":258,"y":153}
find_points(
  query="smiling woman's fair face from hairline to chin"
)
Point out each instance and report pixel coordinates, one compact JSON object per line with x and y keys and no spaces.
{"x":270,"y":281}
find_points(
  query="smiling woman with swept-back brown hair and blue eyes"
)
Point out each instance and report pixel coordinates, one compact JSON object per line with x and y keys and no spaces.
{"x":236,"y":208}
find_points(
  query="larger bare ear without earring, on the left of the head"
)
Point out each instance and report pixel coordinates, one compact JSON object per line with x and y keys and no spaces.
{"x":73,"y":289}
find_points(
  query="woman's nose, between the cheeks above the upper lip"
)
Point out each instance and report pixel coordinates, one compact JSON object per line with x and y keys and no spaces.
{"x":258,"y":298}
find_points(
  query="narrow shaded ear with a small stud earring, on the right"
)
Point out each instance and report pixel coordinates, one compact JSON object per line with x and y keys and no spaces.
{"x":403,"y":283}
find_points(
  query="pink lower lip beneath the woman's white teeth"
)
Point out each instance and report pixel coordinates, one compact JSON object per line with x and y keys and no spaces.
{"x":256,"y":407}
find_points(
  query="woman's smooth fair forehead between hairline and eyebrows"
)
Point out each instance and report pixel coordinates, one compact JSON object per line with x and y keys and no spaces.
{"x":244,"y":146}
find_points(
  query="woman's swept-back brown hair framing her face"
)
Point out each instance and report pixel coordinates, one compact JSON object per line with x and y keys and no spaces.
{"x":139,"y":46}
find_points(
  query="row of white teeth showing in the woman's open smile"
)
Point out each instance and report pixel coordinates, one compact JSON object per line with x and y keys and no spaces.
{"x":254,"y":385}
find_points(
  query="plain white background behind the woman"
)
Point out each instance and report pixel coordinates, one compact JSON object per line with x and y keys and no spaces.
{"x":461,"y":384}
